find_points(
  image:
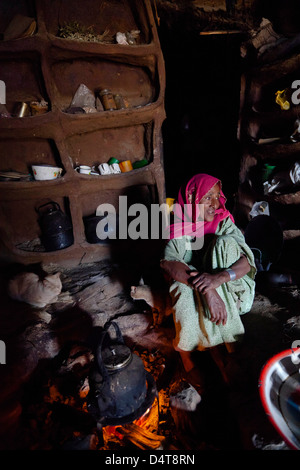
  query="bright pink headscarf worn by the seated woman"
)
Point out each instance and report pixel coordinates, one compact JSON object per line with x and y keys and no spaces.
{"x":186,"y":208}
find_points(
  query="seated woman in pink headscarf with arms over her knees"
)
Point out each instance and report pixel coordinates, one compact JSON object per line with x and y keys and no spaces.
{"x":211,"y":272}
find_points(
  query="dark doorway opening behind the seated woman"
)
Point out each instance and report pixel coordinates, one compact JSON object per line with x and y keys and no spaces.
{"x":202,"y":106}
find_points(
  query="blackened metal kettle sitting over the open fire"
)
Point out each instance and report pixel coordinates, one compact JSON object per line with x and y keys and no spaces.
{"x":118,"y":383}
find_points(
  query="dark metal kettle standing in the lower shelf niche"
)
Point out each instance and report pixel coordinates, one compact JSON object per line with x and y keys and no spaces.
{"x":57,"y":231}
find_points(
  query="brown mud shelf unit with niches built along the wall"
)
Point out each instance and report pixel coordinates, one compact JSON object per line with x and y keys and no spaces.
{"x":44,"y":66}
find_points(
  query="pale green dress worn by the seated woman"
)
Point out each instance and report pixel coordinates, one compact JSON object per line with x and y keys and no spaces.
{"x":194,"y":330}
